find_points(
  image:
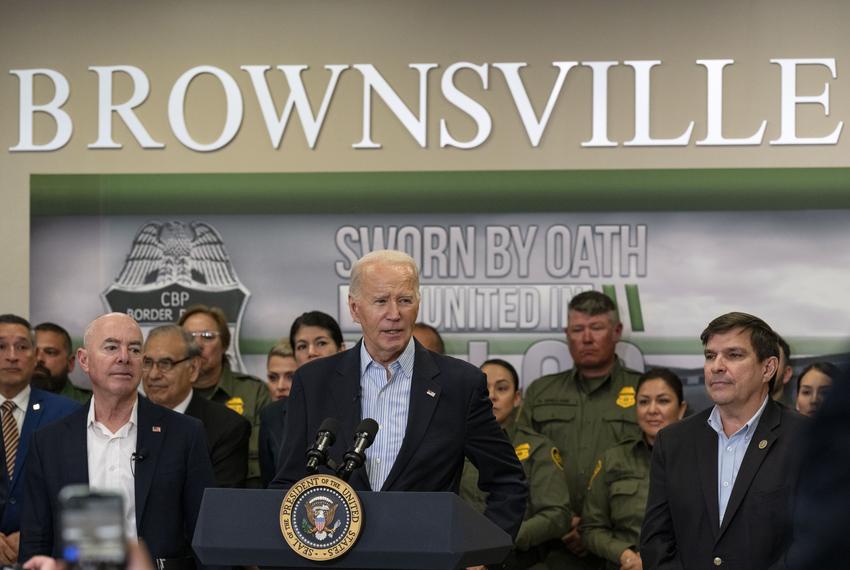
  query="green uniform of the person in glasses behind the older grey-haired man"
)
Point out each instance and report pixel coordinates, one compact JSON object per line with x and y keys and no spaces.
{"x":246,"y":395}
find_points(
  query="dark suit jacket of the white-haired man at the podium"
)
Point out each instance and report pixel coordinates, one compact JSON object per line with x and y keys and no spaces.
{"x":450,"y":416}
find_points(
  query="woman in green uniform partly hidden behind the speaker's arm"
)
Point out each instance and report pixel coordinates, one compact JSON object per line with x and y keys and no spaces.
{"x":547,"y":515}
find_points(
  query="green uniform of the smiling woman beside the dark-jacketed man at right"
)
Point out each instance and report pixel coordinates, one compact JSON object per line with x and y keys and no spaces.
{"x":616,"y":501}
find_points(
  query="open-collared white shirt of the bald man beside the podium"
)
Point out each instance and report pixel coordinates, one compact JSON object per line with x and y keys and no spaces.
{"x":111,"y":463}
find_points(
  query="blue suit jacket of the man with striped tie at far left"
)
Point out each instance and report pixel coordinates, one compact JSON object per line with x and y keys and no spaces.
{"x":43,"y":408}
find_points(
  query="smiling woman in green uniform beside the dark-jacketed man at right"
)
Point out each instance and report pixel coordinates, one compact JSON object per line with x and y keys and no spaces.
{"x":617,"y":492}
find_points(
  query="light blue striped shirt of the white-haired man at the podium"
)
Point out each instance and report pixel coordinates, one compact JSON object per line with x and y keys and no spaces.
{"x":387,"y":401}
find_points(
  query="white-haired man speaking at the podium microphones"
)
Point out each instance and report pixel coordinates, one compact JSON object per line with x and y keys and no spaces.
{"x":432,"y":410}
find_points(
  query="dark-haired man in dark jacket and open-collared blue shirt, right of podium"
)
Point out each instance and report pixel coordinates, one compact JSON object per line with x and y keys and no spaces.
{"x":722,"y":482}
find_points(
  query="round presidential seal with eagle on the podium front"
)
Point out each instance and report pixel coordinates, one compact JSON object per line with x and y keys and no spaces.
{"x":320,"y":517}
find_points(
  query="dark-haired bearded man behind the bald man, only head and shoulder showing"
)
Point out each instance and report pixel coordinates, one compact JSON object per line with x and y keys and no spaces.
{"x":54,"y":362}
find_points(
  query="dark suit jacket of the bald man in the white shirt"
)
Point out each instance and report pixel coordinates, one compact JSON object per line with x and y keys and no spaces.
{"x":169,"y":481}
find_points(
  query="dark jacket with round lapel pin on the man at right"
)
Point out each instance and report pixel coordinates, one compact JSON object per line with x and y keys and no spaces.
{"x":681,"y":529}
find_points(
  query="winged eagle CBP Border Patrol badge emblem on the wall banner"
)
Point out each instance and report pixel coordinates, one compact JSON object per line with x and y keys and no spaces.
{"x":172,"y":265}
